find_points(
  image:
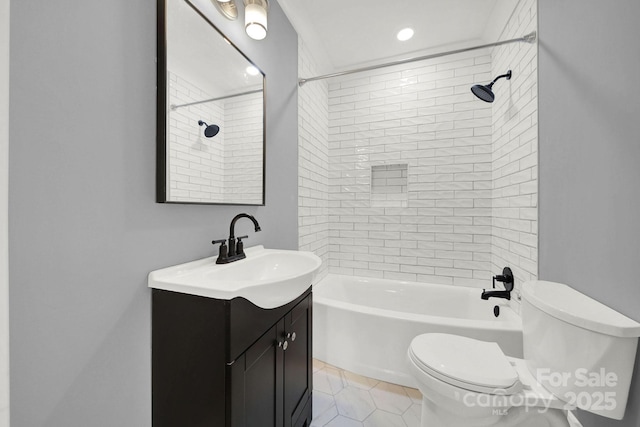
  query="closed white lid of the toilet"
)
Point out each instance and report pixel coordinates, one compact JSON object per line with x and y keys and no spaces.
{"x":470,"y":363}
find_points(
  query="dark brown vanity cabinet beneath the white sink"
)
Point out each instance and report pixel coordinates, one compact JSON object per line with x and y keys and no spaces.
{"x":230,"y":363}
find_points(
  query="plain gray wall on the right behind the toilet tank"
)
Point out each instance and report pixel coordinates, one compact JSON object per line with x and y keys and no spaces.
{"x":590,"y":157}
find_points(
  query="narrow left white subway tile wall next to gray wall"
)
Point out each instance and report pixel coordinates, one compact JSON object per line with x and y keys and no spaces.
{"x":313,"y":162}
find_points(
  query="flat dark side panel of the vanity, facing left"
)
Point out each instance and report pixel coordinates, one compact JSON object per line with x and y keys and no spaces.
{"x":188,"y":363}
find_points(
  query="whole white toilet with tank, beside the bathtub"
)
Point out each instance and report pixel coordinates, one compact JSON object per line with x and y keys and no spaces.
{"x":577,"y":353}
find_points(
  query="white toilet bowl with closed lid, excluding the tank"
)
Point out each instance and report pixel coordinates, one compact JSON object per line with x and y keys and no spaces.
{"x":467,"y":382}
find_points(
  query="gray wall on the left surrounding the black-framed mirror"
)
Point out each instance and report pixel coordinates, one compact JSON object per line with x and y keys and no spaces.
{"x":84,"y":228}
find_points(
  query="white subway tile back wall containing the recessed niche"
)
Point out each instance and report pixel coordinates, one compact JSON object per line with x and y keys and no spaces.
{"x":424,"y":117}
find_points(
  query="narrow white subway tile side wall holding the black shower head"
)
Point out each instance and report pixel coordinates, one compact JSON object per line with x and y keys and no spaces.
{"x":515,"y":150}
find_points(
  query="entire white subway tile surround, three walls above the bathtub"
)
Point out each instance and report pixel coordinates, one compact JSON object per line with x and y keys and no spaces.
{"x":469,"y":205}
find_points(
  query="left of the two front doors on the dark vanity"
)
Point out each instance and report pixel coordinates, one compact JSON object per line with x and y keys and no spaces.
{"x":256,"y":383}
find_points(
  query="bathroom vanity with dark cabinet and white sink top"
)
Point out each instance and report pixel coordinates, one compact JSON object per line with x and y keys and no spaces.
{"x":231,"y":344}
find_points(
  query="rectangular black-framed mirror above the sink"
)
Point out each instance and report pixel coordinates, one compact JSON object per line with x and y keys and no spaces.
{"x":211,"y":137}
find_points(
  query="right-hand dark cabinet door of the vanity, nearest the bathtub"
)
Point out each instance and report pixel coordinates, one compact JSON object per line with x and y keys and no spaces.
{"x":297,"y":364}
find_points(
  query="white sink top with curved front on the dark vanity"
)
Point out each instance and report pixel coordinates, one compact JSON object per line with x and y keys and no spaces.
{"x":269,"y":278}
